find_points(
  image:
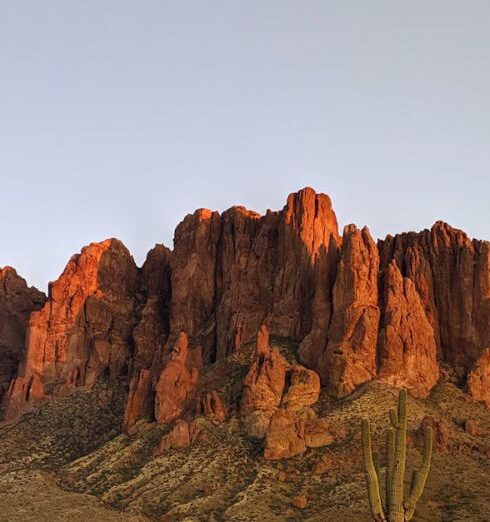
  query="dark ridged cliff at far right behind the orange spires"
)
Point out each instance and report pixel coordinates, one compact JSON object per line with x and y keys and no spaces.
{"x":451,"y":274}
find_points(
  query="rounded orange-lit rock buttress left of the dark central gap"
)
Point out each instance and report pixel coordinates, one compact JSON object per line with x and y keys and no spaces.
{"x":83,"y":331}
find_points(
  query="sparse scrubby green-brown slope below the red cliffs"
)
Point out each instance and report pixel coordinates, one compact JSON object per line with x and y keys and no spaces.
{"x":228,"y":480}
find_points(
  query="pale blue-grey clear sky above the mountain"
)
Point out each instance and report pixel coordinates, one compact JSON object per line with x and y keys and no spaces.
{"x":118,"y":118}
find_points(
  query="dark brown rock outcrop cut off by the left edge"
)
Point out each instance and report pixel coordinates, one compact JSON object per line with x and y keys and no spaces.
{"x":17,"y":302}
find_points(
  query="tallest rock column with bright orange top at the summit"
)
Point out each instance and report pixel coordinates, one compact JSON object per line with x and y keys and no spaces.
{"x":308,"y":233}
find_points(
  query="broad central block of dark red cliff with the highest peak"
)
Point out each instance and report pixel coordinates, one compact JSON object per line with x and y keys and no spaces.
{"x":232,"y":271}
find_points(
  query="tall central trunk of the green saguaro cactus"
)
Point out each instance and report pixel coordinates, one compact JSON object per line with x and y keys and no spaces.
{"x":397,"y":511}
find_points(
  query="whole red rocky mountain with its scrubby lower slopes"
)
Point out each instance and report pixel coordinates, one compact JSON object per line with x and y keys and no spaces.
{"x":233,"y":370}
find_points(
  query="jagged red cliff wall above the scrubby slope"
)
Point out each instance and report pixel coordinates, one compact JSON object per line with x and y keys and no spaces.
{"x":357,"y":310}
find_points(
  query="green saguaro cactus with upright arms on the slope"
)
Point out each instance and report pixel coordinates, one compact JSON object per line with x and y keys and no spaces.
{"x":395,"y":508}
